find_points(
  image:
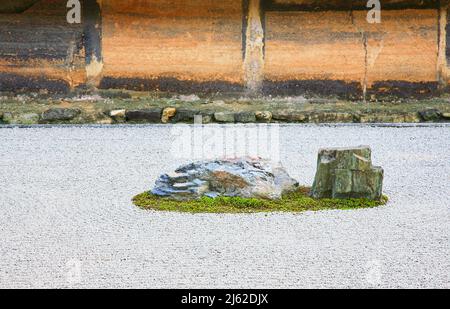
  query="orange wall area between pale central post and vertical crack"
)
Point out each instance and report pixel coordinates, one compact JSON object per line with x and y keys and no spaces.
{"x":313,"y":45}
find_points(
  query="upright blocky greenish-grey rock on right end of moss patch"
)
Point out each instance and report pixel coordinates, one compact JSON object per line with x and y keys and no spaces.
{"x":347,"y":173}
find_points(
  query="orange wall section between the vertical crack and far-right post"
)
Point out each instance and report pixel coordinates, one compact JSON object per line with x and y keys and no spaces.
{"x":403,"y":47}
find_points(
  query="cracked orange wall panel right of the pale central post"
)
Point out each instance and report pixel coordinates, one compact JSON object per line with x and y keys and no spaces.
{"x":344,"y":46}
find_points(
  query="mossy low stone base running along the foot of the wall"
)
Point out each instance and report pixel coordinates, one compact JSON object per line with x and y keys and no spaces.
{"x":118,"y":107}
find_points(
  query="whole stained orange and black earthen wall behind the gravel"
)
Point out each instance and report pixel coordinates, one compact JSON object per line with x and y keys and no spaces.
{"x":285,"y":47}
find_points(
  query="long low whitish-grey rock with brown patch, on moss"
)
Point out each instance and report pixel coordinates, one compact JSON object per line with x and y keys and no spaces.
{"x":247,"y":178}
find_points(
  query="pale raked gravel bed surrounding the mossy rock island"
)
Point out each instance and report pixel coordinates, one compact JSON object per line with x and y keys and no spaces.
{"x":66,"y":217}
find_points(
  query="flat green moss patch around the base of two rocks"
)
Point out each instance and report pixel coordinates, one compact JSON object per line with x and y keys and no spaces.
{"x":293,"y":202}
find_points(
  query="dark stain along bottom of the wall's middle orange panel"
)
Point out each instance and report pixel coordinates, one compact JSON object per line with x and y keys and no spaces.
{"x":171,"y":85}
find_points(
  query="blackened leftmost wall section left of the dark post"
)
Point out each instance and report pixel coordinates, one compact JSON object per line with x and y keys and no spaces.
{"x":39,"y":49}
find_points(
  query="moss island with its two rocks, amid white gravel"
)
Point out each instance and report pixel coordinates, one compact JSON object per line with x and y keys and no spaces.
{"x":345,"y":179}
